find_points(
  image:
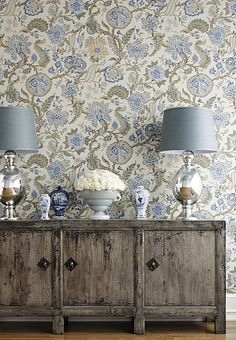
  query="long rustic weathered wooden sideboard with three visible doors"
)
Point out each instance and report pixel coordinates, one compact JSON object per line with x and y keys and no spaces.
{"x":130,"y":268}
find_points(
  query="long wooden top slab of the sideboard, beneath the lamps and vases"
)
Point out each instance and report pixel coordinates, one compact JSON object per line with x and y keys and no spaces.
{"x":122,"y":224}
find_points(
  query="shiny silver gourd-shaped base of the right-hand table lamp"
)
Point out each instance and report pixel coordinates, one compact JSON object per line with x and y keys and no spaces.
{"x":187,"y":186}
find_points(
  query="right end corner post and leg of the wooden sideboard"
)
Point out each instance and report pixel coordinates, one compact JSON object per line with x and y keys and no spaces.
{"x":220,"y":322}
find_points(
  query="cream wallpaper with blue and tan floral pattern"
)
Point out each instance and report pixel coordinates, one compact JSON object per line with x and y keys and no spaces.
{"x":98,"y":75}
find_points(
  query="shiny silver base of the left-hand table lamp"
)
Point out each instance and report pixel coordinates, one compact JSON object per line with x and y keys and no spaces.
{"x":11,"y":186}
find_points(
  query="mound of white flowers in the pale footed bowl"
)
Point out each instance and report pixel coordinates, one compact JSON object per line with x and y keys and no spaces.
{"x":98,"y":180}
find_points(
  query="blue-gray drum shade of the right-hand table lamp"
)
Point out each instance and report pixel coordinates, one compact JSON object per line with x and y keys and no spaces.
{"x":188,"y":128}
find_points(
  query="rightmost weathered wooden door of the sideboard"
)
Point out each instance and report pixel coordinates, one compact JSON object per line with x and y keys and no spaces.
{"x":185,"y":273}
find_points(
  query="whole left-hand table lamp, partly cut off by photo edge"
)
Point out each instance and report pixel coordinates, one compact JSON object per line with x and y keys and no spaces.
{"x":17,"y":135}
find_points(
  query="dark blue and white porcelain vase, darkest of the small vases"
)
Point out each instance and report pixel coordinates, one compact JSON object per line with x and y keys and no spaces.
{"x":59,"y":201}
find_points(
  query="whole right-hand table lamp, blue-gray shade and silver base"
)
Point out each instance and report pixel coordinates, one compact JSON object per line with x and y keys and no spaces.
{"x":187,"y":131}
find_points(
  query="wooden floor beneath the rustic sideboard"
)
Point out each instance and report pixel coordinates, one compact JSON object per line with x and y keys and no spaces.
{"x":115,"y":331}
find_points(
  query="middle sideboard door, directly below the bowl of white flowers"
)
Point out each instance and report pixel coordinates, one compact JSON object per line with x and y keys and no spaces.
{"x":104,"y":271}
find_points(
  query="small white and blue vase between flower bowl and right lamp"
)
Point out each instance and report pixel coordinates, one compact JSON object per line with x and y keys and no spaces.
{"x":140,"y":198}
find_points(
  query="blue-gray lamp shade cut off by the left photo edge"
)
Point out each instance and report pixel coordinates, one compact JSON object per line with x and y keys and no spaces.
{"x":17,"y":130}
